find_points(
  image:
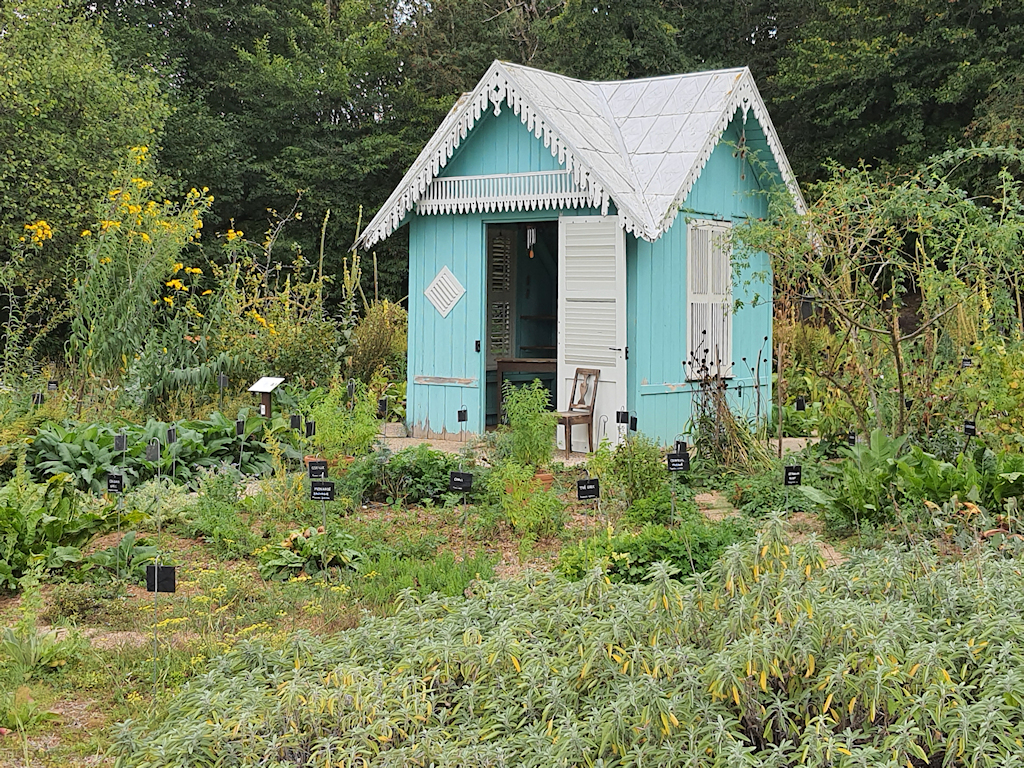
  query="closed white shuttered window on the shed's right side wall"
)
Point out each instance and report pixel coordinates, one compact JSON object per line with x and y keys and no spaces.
{"x":709,"y":300}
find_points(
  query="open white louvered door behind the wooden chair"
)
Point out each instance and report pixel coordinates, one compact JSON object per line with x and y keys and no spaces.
{"x":592,"y":317}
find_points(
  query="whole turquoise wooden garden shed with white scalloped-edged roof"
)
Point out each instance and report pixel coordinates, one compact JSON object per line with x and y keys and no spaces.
{"x":557,"y":224}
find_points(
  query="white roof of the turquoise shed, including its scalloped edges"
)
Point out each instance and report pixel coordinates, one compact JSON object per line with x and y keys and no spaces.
{"x":638,"y":144}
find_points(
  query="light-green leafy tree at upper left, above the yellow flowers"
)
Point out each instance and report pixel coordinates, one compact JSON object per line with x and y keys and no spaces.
{"x":68,"y":116}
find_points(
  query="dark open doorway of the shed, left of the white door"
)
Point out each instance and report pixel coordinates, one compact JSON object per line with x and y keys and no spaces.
{"x":523,"y":308}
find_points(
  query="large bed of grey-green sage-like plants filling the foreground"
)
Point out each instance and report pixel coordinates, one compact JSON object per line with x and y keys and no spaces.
{"x":894,"y":659}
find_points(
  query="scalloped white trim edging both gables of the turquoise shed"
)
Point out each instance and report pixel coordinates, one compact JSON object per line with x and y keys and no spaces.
{"x":500,"y":86}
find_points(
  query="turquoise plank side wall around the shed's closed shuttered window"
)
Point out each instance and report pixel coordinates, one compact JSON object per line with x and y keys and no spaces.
{"x":658,"y":391}
